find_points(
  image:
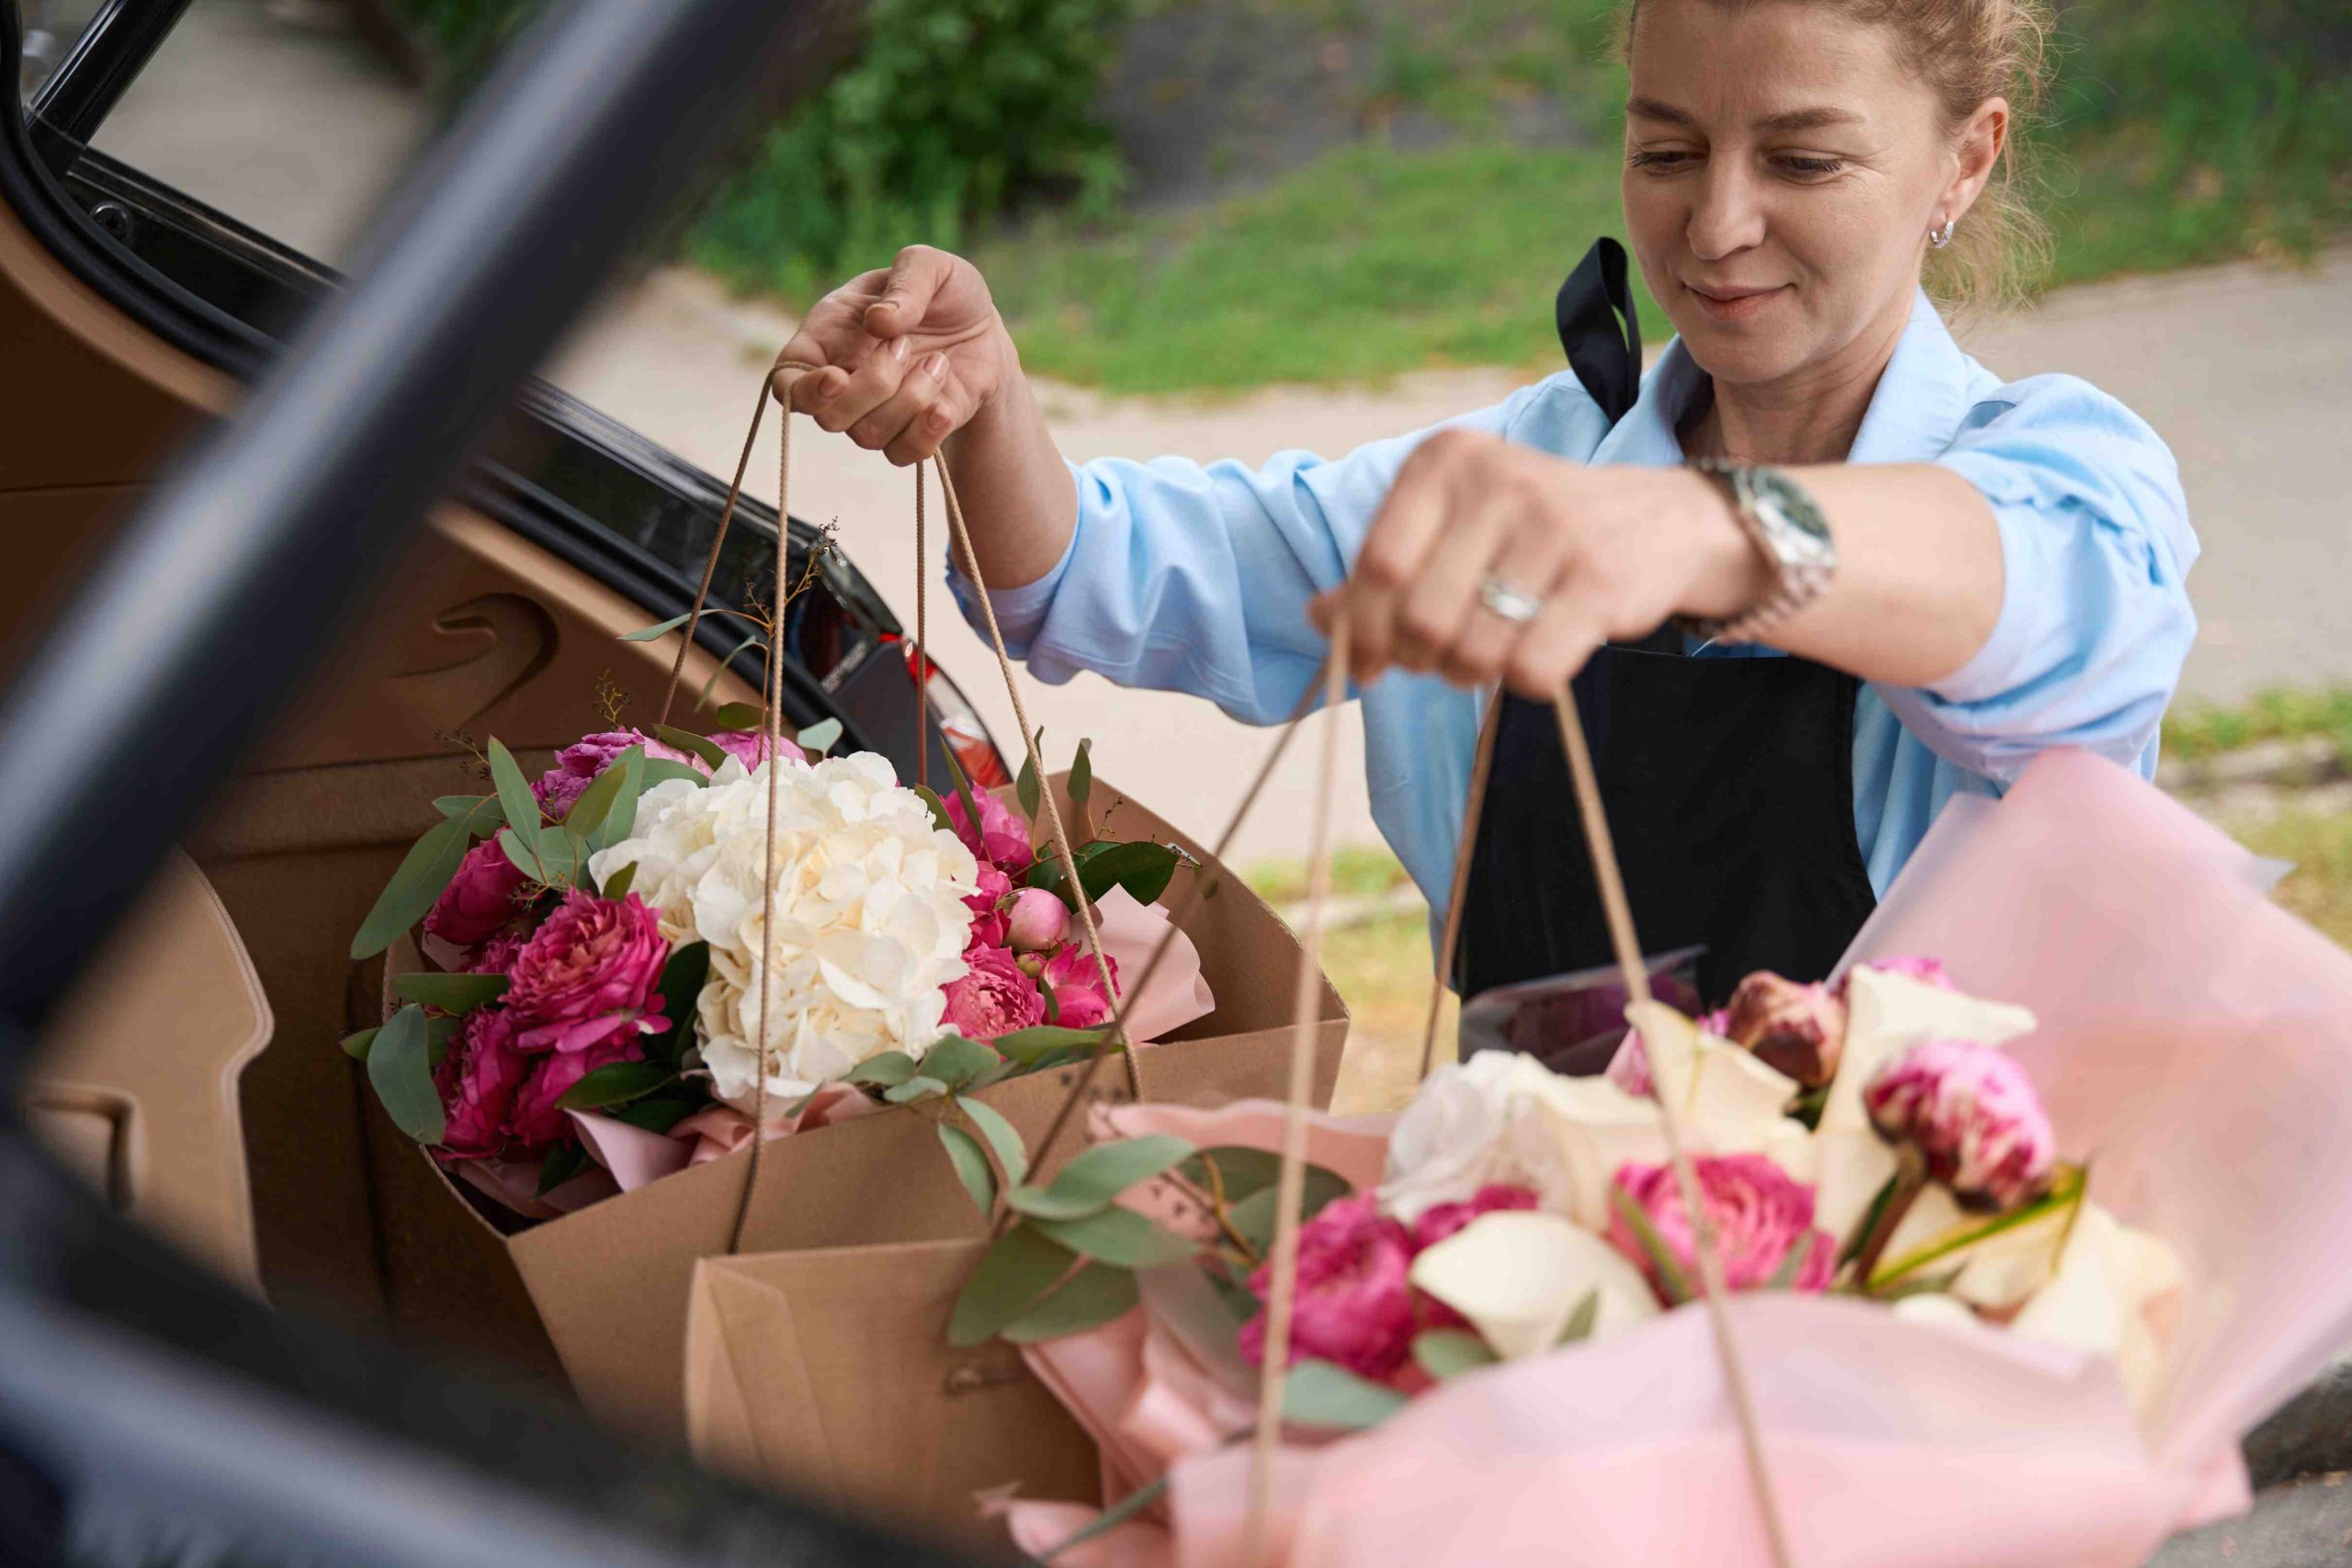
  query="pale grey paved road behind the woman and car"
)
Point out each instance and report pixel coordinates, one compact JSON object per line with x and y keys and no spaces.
{"x":265,"y":109}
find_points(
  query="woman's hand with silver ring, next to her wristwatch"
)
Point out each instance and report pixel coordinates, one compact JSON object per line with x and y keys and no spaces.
{"x":1605,"y":554}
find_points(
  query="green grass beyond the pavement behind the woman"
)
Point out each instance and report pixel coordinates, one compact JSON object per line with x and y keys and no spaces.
{"x":2179,"y":135}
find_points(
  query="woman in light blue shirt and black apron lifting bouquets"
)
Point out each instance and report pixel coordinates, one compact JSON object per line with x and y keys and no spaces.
{"x":1815,"y":579}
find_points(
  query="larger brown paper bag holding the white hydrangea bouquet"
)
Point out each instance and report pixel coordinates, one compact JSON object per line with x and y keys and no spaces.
{"x":613,"y":1280}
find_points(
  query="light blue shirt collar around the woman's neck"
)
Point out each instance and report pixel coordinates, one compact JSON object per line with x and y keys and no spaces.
{"x":1913,"y":415}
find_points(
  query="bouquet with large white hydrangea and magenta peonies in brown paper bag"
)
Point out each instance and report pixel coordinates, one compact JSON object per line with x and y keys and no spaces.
{"x":575,"y":1036}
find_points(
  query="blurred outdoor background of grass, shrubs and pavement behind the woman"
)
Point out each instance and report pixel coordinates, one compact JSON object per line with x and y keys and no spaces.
{"x":1234,"y":227}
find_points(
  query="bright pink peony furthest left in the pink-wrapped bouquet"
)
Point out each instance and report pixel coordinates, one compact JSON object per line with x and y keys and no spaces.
{"x":1354,"y":1304}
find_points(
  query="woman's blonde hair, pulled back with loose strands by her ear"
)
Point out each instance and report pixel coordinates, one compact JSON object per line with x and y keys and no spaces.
{"x":1967,"y":53}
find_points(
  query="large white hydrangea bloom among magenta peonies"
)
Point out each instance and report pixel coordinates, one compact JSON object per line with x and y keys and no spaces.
{"x":871,"y":916}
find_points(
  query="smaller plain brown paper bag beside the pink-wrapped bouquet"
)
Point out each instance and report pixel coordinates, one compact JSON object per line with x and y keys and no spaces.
{"x":862,"y":1405}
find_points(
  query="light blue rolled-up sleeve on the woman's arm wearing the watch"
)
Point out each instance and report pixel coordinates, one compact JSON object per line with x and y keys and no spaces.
{"x":2094,"y":617}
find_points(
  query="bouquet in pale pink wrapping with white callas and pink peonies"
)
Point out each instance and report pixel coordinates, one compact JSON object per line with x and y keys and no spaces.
{"x":2010,"y":1278}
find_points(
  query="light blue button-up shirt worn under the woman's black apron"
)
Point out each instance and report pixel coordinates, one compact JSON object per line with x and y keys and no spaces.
{"x":1194,"y":577}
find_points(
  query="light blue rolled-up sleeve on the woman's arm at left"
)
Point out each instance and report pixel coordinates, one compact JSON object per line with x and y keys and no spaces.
{"x":1196,"y":577}
